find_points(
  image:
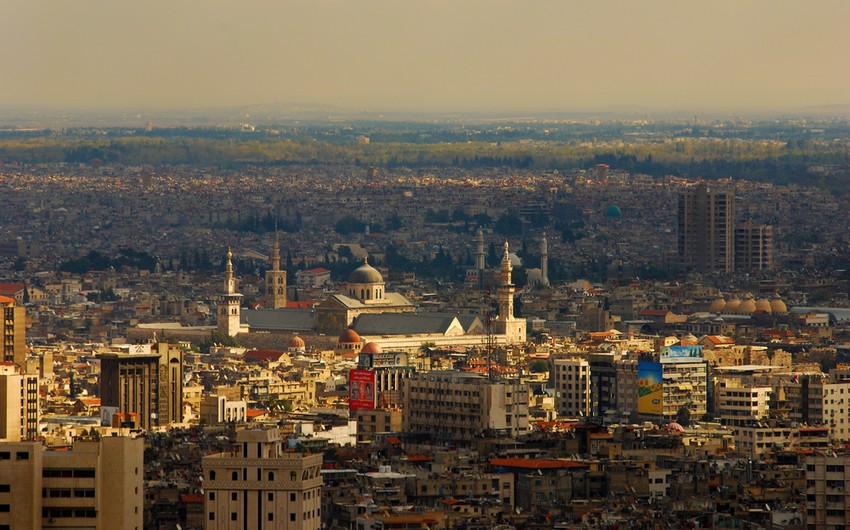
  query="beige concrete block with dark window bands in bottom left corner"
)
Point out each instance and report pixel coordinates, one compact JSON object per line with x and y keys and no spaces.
{"x":97,"y":484}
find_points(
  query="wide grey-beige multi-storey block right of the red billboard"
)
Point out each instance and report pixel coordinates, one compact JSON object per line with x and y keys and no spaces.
{"x":457,"y":407}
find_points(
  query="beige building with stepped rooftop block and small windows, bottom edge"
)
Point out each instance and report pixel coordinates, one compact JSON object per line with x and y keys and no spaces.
{"x":259,"y":485}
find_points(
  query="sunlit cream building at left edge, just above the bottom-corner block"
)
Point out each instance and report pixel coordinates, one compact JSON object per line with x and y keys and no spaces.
{"x":19,"y":410}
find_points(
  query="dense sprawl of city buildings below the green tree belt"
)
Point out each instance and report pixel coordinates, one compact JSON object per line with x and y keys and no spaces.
{"x":422,"y":347}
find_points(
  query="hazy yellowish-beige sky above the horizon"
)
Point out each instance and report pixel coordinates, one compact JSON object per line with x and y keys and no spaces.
{"x":417,"y":55}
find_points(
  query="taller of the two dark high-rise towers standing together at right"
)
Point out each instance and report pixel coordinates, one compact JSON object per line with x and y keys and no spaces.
{"x":706,"y":230}
